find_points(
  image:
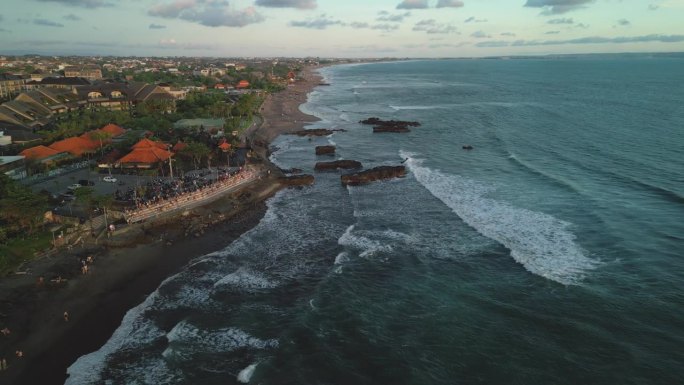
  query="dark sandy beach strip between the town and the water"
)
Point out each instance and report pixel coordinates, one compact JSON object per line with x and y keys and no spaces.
{"x":121,"y":278}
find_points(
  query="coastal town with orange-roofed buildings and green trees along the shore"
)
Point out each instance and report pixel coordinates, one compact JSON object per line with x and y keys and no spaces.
{"x":83,"y":135}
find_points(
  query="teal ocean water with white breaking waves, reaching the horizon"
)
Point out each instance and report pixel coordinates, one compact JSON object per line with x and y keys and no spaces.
{"x":551,"y":253}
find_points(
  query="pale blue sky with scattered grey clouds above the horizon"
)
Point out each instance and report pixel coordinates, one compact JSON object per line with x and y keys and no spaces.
{"x":339,"y":28}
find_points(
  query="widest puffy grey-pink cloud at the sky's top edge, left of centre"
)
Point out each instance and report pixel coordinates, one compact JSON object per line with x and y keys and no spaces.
{"x":211,"y":13}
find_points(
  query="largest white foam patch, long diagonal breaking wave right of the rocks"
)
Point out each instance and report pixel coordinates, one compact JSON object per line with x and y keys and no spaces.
{"x":541,"y":243}
